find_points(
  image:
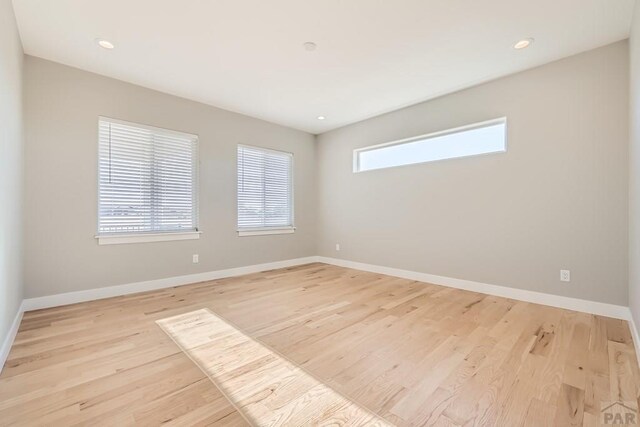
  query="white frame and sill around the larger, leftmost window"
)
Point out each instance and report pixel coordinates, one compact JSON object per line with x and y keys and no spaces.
{"x":154,"y":235}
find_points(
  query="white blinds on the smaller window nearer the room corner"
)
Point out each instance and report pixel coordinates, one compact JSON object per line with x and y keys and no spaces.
{"x":265,"y":188}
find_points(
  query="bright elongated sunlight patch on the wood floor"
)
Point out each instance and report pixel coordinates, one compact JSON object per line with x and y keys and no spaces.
{"x":265,"y":387}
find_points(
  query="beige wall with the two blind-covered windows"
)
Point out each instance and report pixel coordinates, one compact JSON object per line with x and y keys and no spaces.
{"x":62,"y":109}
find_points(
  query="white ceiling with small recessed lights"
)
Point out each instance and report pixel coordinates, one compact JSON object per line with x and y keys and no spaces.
{"x":373,"y":56}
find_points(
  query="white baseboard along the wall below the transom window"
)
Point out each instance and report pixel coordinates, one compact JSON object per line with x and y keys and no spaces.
{"x":593,"y":307}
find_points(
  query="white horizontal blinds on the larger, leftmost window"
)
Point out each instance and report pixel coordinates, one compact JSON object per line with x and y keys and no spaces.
{"x":148,"y":179}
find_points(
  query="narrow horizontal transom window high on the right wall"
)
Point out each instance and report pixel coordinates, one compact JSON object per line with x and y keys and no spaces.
{"x":479,"y":138}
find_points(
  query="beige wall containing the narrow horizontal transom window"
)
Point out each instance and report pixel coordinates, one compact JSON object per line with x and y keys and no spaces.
{"x":556,"y":200}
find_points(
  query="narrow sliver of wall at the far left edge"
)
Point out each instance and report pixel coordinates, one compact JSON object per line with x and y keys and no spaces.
{"x":11,"y":153}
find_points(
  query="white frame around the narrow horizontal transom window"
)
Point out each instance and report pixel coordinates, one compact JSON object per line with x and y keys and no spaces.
{"x":432,"y":135}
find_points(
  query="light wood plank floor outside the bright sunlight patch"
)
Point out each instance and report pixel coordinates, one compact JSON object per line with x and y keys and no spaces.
{"x":413,"y":353}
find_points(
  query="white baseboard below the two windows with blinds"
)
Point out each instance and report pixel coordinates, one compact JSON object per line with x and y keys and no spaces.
{"x":150,"y":285}
